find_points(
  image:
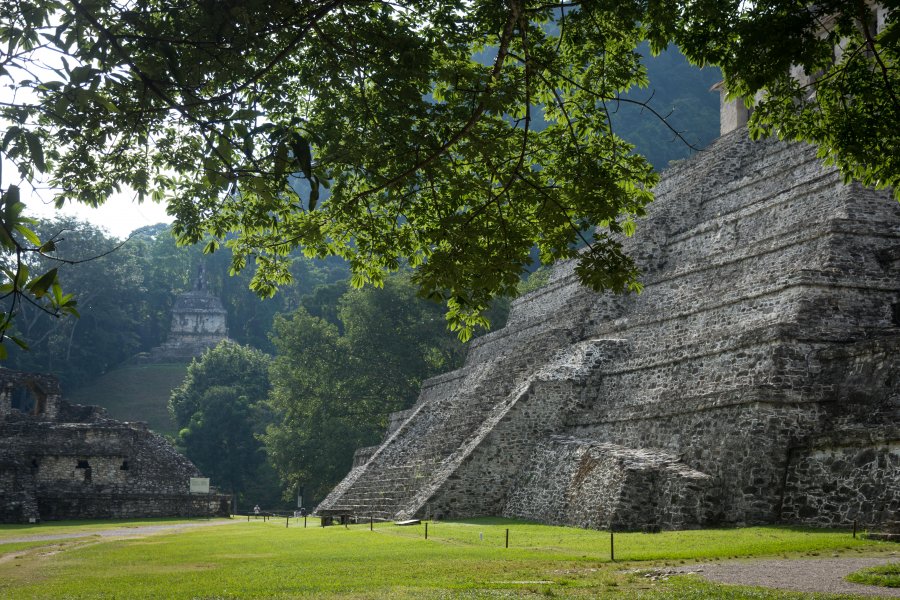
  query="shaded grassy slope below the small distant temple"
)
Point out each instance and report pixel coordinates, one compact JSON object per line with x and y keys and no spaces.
{"x":135,"y":393}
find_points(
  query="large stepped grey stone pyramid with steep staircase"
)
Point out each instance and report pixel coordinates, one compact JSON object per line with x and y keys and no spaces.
{"x":755,"y":380}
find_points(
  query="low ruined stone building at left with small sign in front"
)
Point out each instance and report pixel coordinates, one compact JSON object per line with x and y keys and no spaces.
{"x":66,"y":461}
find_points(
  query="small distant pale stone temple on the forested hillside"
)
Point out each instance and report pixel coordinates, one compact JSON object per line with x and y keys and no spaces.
{"x":198,"y":323}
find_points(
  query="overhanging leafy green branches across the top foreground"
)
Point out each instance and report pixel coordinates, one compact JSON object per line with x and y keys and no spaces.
{"x":368,"y":130}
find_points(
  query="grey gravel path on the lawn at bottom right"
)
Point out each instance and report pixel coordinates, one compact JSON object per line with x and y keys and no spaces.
{"x":824,"y":575}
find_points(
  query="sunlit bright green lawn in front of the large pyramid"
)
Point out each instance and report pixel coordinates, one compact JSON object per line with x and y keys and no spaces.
{"x":466,"y":559}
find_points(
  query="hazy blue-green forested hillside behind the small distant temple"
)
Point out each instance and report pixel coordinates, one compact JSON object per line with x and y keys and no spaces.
{"x":125,"y":292}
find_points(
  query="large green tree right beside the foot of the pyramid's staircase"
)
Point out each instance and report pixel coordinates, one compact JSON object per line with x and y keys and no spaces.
{"x":334,"y":384}
